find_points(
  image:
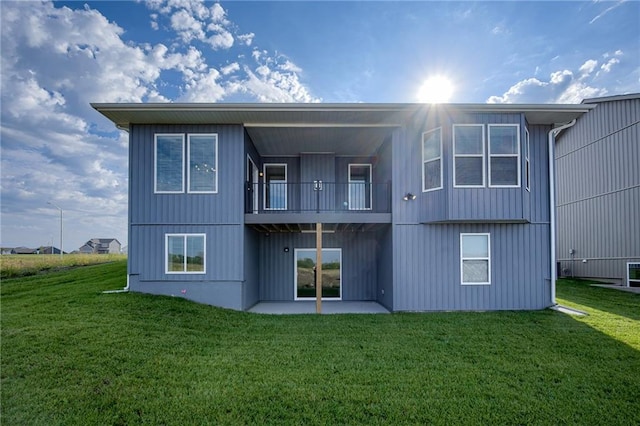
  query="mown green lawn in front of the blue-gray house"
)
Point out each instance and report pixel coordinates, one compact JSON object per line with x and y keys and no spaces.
{"x":74,"y":356}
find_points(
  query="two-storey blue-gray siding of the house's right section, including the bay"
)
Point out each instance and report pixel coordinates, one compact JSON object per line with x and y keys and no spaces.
{"x":426,"y":257}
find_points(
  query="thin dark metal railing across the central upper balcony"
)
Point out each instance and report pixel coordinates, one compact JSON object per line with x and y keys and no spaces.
{"x":318,"y":196}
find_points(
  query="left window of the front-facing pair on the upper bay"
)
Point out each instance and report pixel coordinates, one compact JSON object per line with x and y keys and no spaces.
{"x":468,"y":155}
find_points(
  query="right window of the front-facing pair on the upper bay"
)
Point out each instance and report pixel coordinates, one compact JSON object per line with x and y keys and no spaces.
{"x":504,"y":155}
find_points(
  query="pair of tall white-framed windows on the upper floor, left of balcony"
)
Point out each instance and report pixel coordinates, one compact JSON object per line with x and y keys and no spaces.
{"x":201,"y":164}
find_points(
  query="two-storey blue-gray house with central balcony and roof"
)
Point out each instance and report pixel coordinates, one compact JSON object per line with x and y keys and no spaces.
{"x":417,"y":207}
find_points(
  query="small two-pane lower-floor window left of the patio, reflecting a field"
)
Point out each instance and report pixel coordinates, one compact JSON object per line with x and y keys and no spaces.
{"x":185,"y":253}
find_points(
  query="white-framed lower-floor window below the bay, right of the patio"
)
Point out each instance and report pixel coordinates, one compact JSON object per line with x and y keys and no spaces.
{"x":475,"y":259}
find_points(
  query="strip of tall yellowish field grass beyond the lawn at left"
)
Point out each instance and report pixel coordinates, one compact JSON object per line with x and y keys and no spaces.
{"x":20,"y":265}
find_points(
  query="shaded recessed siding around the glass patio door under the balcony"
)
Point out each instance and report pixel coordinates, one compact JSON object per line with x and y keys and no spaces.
{"x":359,"y":257}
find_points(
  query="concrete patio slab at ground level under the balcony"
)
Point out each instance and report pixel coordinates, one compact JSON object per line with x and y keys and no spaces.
{"x":328,"y":307}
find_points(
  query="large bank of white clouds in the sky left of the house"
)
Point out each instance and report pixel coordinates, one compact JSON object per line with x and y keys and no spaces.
{"x":56,"y":60}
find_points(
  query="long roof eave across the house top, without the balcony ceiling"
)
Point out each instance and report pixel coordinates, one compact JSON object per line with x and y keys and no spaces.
{"x":317,"y":115}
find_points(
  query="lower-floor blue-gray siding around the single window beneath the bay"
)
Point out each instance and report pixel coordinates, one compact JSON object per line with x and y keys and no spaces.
{"x":427,"y":268}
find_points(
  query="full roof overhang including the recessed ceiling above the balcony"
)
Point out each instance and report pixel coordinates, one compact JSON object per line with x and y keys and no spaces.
{"x":343,"y":129}
